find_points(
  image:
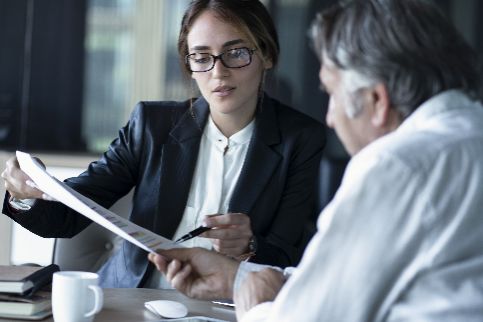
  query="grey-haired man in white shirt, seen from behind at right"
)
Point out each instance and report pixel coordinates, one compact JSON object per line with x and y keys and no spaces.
{"x":401,"y":240}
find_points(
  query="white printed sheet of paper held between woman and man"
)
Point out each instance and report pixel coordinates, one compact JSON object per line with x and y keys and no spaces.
{"x":58,"y":190}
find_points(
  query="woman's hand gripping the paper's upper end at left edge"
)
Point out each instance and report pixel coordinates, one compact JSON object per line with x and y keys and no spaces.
{"x":19,"y":184}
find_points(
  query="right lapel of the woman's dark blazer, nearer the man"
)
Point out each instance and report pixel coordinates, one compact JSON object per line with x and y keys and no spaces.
{"x":260,"y":162}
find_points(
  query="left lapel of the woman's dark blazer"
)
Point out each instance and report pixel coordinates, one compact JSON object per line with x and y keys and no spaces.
{"x":178,"y":162}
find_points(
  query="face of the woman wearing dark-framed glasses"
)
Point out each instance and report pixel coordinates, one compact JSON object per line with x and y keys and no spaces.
{"x":231,"y":92}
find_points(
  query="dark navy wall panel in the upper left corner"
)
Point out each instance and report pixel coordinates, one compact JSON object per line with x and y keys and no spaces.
{"x":41,"y":74}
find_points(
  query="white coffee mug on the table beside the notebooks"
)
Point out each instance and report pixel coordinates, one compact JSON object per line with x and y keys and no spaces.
{"x":76,"y":296}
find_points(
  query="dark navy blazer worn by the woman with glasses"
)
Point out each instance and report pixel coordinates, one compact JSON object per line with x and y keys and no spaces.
{"x":157,"y":152}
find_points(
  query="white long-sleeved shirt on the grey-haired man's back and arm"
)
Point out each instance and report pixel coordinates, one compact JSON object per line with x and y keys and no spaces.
{"x":402,"y":240}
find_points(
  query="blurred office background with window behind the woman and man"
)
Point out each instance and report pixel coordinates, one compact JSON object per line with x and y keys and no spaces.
{"x":72,"y":70}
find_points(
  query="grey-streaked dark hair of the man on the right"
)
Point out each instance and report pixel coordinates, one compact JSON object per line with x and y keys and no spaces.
{"x":409,"y":45}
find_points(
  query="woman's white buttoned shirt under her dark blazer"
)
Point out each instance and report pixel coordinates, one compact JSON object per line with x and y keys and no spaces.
{"x":219,"y":164}
